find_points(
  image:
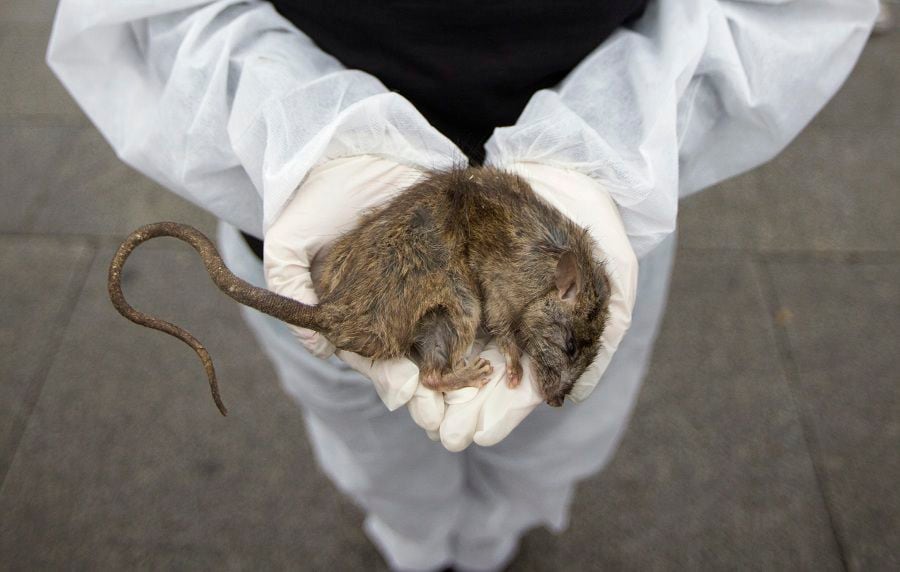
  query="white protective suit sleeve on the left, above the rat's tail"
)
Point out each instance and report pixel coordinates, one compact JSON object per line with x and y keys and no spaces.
{"x":227,"y":103}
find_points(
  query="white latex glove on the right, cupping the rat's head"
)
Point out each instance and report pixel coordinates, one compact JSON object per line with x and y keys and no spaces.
{"x":487,"y":415}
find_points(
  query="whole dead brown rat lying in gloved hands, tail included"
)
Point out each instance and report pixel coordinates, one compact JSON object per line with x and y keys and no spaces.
{"x":418,"y":276}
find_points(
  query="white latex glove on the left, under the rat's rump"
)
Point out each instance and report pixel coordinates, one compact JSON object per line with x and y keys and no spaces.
{"x":325,"y":206}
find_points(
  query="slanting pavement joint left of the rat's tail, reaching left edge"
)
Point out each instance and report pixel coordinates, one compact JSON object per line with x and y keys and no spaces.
{"x":77,"y":284}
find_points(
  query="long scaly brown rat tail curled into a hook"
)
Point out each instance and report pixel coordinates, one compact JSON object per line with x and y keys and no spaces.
{"x":285,"y":309}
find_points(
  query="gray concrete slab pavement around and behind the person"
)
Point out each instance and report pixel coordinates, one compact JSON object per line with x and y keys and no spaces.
{"x":767,"y":435}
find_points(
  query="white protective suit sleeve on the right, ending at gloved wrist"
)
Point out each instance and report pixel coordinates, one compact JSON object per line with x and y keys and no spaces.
{"x":694,"y":92}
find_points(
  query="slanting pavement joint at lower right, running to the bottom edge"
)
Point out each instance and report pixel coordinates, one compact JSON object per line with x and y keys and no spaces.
{"x":790,"y":369}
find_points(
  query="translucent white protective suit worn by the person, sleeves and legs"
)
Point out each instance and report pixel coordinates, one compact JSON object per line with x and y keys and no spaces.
{"x":229,"y":105}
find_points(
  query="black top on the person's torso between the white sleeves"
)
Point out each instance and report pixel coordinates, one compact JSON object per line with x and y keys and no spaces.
{"x":467,"y":66}
